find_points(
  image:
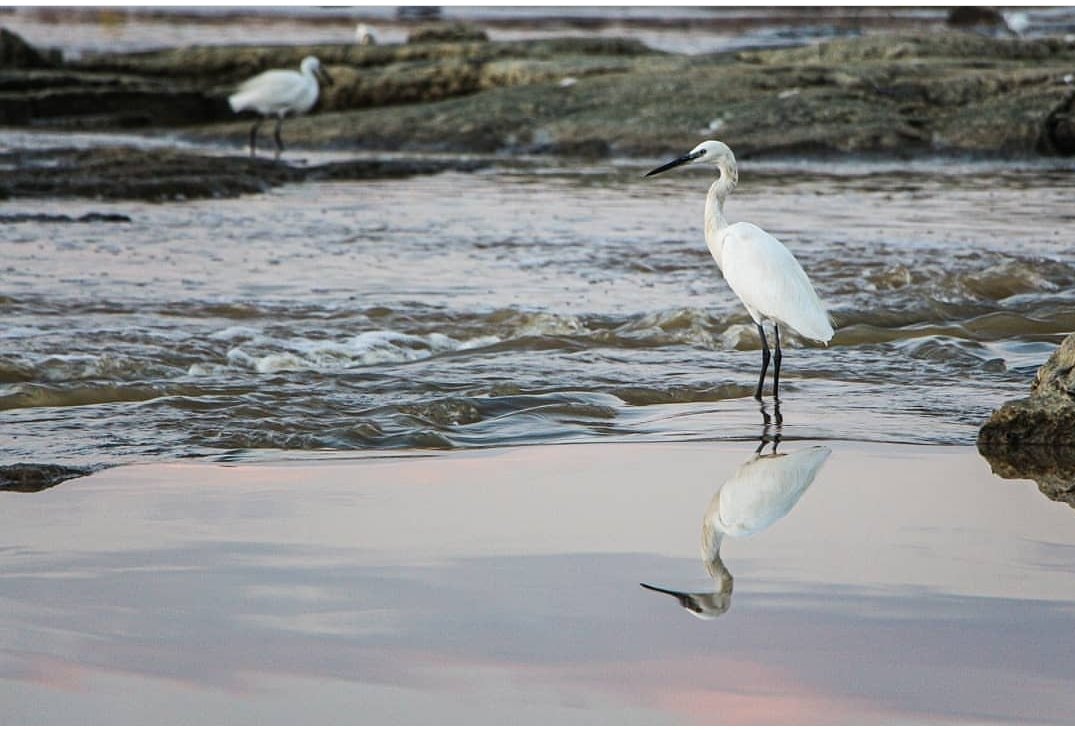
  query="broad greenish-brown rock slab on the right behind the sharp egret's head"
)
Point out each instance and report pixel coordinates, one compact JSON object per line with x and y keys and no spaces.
{"x":954,"y":94}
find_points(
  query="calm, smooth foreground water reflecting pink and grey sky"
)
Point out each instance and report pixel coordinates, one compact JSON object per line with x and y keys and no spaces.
{"x":905,"y":585}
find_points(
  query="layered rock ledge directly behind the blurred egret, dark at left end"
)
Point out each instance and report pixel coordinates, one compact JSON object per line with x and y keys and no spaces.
{"x":191,"y":85}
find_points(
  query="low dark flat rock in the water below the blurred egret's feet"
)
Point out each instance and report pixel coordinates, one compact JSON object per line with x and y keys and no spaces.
{"x":127,"y":174}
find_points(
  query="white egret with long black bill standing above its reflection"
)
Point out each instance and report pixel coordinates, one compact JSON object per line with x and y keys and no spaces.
{"x":759,"y":269}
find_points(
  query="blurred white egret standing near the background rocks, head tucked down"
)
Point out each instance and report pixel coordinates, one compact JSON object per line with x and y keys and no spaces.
{"x":280,"y":93}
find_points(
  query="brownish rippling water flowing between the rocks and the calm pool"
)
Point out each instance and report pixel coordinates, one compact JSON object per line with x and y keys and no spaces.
{"x":525,"y":305}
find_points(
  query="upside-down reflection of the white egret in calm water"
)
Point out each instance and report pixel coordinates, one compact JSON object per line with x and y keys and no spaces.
{"x":763,"y":491}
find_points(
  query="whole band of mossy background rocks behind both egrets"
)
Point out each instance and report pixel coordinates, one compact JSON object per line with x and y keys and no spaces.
{"x":943,"y":93}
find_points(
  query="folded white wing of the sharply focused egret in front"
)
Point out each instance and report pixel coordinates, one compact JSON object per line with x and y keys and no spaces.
{"x":769,"y":280}
